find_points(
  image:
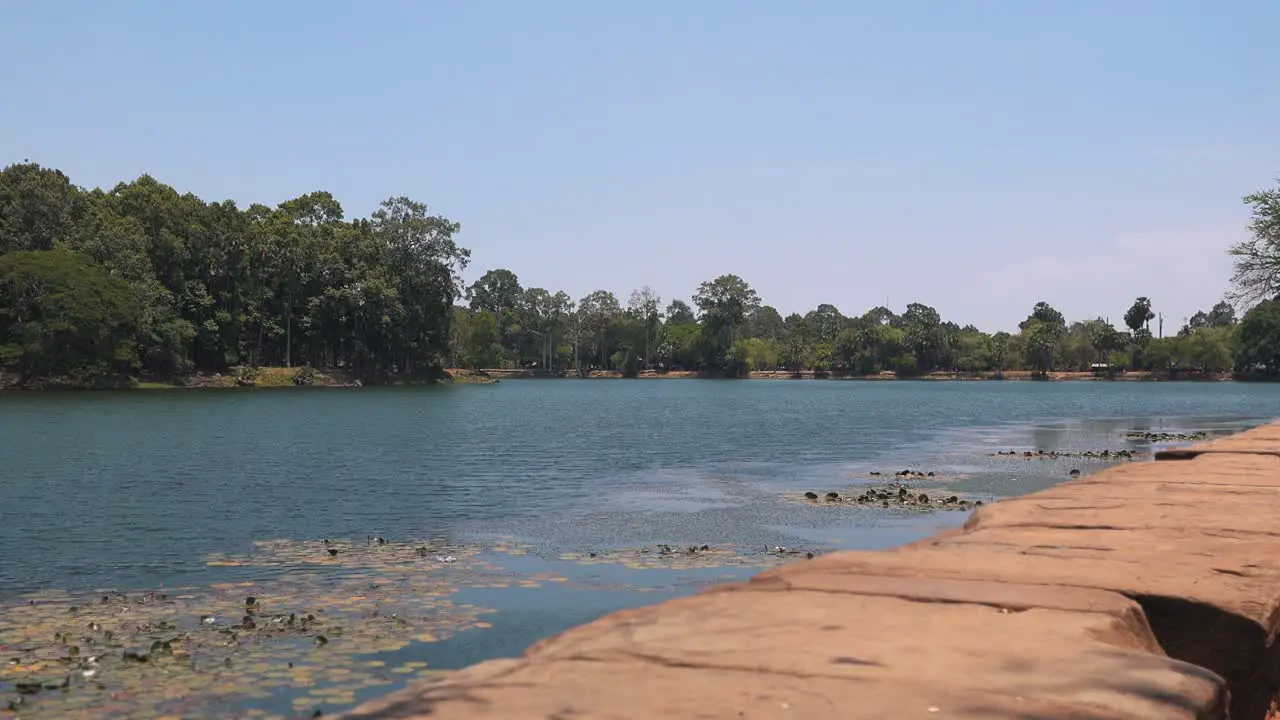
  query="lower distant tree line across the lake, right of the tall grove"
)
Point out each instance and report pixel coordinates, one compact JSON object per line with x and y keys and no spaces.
{"x":728,"y":330}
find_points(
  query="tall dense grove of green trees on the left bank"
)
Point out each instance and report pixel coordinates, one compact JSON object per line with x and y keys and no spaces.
{"x":141,"y":279}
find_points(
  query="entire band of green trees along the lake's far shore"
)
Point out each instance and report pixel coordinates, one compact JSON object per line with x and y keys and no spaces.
{"x":143,"y":286}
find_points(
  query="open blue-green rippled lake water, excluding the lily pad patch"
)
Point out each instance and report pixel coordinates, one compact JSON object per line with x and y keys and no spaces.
{"x":141,"y":491}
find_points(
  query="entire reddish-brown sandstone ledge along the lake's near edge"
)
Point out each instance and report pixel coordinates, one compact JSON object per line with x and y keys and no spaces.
{"x":1148,"y":591}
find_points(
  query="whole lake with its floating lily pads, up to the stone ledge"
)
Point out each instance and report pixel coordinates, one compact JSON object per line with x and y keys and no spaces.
{"x":157,"y":523}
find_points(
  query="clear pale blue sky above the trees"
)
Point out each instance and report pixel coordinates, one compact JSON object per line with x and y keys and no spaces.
{"x":973,"y":156}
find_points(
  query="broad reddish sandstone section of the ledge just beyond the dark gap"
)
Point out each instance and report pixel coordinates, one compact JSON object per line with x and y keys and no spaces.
{"x":1121,"y":531}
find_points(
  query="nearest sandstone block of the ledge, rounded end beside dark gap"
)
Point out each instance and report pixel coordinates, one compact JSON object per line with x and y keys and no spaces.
{"x":834,"y":655}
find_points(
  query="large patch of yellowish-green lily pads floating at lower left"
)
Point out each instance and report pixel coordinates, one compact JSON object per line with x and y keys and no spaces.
{"x":303,"y":630}
